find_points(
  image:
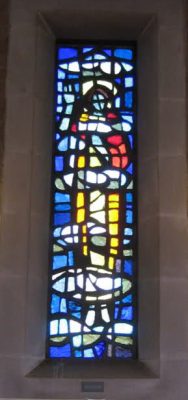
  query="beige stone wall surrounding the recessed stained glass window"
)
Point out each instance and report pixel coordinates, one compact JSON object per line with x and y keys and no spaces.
{"x":159,"y":28}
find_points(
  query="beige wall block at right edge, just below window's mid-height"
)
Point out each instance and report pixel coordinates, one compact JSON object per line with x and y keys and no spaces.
{"x":173,"y":247}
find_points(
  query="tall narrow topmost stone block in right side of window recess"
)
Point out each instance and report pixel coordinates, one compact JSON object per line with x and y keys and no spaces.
{"x":148,"y":93}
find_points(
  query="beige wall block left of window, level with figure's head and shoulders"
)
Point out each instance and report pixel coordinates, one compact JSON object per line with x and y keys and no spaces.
{"x":19,"y":123}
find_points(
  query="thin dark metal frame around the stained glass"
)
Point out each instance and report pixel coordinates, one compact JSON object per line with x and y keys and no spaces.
{"x":111,"y":44}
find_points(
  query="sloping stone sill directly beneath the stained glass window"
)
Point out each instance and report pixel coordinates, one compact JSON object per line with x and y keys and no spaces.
{"x":89,"y":369}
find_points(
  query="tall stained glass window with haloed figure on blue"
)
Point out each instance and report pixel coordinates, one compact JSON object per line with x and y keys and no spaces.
{"x":92,"y":305}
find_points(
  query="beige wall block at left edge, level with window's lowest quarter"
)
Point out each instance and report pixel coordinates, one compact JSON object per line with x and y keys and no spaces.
{"x":12,"y":314}
